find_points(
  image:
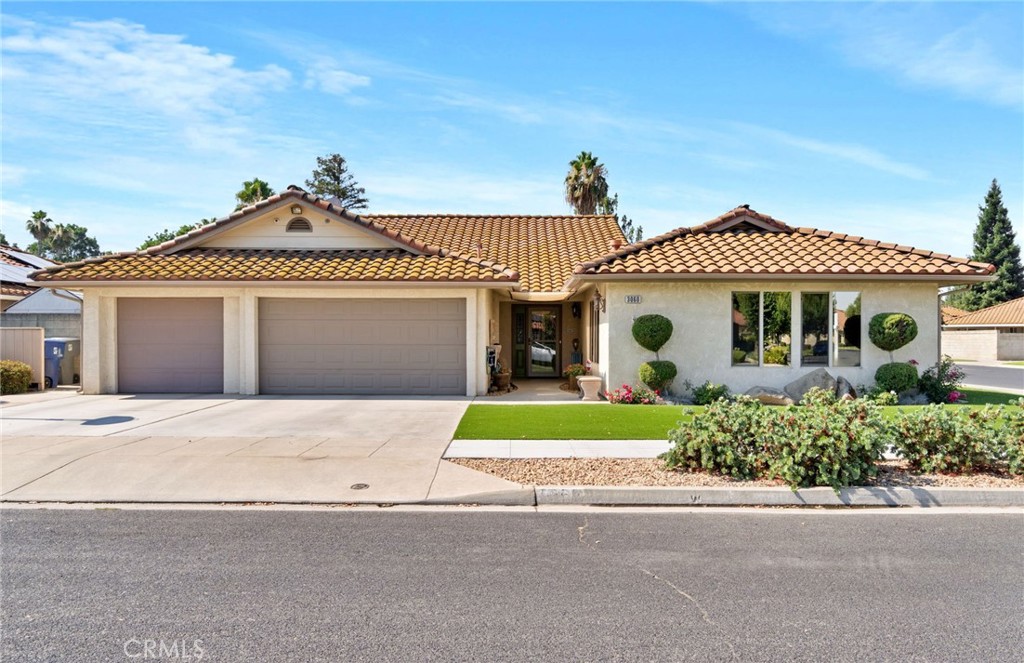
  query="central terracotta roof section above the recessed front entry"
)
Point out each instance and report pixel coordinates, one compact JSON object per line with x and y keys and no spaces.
{"x":544,"y":251}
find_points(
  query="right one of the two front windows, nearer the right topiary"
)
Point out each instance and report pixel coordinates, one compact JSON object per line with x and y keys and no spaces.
{"x":830,"y":328}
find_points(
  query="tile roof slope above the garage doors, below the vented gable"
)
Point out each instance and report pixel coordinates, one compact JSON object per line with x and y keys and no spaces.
{"x":257,"y":265}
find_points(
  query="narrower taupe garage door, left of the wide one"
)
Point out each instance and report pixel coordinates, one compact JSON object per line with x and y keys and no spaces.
{"x":172,"y":346}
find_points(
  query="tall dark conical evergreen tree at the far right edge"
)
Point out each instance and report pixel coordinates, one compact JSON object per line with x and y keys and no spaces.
{"x":996,"y":243}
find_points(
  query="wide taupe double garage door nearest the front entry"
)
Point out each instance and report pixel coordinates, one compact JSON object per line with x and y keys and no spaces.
{"x":387,"y":347}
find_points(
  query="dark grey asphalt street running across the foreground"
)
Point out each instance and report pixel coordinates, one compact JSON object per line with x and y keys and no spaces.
{"x":465,"y":585}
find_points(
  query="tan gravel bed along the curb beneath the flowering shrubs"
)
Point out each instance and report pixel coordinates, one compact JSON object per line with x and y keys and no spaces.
{"x":651,"y":472}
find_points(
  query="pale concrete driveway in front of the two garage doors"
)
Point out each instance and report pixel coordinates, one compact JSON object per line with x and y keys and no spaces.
{"x":236,"y":449}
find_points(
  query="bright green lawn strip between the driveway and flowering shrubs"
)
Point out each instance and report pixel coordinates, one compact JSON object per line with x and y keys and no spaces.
{"x":599,"y":422}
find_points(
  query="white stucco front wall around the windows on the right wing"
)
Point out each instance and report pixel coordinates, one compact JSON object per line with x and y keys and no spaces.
{"x":701,"y":345}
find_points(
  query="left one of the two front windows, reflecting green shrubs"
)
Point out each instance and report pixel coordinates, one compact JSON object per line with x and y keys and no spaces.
{"x":762,"y":324}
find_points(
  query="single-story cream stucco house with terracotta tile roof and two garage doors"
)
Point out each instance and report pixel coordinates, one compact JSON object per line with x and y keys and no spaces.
{"x":295,"y":296}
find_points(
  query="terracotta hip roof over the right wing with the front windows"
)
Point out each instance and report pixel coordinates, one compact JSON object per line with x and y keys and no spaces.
{"x":744,"y":242}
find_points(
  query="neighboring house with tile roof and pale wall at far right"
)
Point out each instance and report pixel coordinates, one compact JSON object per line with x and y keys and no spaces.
{"x":994,"y":334}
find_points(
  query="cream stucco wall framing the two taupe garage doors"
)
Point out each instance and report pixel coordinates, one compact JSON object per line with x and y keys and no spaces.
{"x":100,"y":374}
